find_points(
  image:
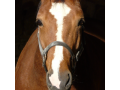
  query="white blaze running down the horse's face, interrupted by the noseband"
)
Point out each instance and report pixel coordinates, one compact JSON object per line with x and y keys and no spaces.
{"x":59,"y":10}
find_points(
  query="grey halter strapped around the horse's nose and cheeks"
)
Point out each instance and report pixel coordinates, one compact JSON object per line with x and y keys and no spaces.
{"x":58,"y":43}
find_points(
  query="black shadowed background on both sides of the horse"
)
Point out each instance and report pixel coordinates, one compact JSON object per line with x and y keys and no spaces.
{"x":92,"y":66}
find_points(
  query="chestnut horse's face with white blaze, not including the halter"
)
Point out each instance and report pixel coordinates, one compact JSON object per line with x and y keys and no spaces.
{"x":59,"y":20}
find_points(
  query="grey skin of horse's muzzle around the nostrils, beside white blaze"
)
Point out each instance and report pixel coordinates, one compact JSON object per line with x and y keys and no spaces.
{"x":65,"y":81}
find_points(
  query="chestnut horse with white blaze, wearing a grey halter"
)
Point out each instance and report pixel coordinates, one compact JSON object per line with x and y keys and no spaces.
{"x":56,"y":45}
